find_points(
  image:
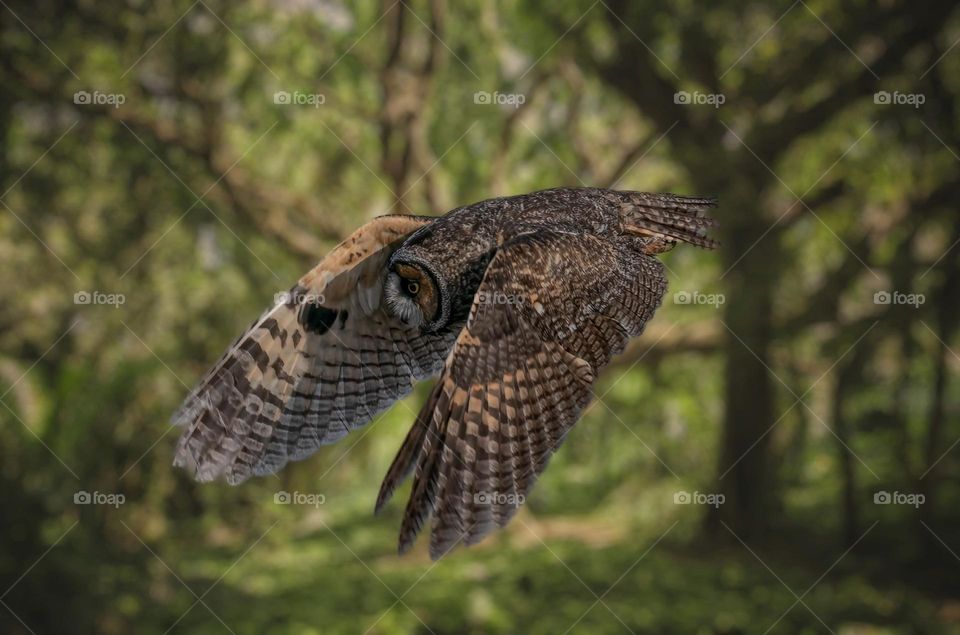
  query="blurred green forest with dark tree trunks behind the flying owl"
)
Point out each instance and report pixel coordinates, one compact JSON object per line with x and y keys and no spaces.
{"x":167,"y":167}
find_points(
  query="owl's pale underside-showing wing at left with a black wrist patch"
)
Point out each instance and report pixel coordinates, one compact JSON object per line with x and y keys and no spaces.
{"x":326,"y":359}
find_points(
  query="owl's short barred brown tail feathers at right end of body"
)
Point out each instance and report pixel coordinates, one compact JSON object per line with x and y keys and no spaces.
{"x":668,"y":217}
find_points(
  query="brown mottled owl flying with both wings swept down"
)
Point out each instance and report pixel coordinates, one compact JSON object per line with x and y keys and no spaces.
{"x":517,"y":303}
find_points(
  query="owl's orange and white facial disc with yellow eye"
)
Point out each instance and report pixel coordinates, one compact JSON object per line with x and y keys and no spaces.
{"x":411,"y":292}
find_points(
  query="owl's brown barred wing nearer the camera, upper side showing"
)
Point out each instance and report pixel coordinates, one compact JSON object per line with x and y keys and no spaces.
{"x":551,"y":311}
